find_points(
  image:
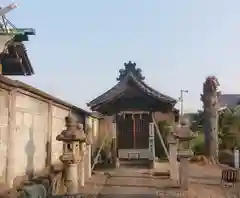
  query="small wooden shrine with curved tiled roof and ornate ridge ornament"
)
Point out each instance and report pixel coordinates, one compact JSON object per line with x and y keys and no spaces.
{"x":130,"y":104}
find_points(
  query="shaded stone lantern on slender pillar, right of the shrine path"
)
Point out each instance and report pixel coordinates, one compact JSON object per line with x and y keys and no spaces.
{"x":184,"y":136}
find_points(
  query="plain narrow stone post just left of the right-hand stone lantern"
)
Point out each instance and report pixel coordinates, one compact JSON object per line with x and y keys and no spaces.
{"x":172,"y":141}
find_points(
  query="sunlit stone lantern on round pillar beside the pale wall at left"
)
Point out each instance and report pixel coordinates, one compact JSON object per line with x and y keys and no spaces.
{"x":72,"y":139}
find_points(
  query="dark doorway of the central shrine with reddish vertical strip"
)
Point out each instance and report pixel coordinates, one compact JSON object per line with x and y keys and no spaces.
{"x":132,"y":133}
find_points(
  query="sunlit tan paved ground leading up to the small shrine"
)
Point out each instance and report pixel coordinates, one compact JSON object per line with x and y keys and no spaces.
{"x":138,"y":182}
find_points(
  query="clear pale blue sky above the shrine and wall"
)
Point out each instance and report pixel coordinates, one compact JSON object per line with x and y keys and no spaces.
{"x":81,"y":45}
